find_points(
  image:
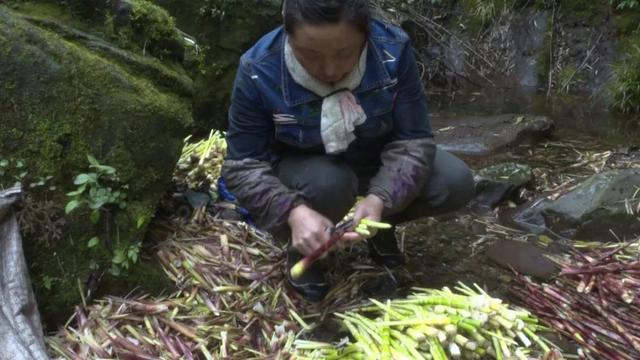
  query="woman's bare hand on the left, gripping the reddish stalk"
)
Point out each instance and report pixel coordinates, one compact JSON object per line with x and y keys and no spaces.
{"x":309,"y":229}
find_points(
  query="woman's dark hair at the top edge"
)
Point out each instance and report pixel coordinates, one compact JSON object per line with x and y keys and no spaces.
{"x":319,"y":12}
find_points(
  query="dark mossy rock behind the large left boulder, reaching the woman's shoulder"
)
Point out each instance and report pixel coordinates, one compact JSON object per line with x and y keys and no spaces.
{"x":223,"y":29}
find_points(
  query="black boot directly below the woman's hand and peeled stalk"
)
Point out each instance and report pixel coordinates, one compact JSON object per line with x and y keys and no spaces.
{"x":311,"y":285}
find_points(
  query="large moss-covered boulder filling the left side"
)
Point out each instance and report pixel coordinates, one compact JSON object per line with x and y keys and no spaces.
{"x":64,"y":95}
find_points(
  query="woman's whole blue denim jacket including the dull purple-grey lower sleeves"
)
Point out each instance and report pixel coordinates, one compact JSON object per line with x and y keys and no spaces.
{"x":271,"y":115}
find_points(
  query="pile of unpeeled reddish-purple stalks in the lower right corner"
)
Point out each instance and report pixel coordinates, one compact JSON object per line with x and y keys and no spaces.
{"x":594,"y":300}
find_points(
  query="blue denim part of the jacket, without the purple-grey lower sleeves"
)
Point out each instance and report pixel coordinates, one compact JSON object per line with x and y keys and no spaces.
{"x":270,"y":113}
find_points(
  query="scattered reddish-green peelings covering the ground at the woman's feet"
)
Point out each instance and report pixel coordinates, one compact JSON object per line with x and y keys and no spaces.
{"x":232,"y":302}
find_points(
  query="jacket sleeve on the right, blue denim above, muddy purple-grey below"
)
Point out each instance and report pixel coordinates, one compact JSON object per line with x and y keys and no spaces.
{"x":407,"y":160}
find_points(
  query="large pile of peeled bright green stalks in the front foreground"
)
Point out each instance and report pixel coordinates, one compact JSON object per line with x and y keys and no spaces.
{"x":435,"y":324}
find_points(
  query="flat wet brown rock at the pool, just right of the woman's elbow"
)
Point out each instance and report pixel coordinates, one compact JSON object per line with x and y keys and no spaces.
{"x":482,"y":136}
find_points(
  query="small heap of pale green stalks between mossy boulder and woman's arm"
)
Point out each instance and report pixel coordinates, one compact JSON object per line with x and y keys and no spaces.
{"x":200,"y":163}
